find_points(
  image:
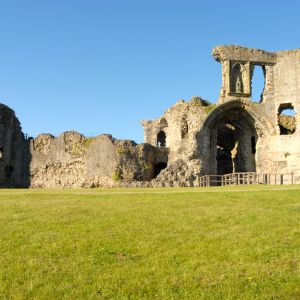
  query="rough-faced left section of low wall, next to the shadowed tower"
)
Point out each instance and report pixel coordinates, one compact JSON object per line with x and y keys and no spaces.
{"x":57,"y":161}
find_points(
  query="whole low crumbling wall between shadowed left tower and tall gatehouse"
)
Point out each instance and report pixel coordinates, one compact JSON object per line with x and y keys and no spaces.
{"x":72,"y":160}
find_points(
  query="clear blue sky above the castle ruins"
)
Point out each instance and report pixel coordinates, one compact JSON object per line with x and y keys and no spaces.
{"x":102,"y":66}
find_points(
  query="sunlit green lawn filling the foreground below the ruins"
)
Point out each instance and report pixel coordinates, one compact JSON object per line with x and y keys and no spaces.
{"x":191,"y":243}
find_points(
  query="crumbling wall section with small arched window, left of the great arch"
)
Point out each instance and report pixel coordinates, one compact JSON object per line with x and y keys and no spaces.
{"x":181,"y":124}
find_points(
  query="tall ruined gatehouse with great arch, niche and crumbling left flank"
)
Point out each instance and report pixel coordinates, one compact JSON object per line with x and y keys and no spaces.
{"x":259,"y":144}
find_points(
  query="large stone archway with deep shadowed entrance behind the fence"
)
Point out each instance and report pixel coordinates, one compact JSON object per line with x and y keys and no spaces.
{"x":226,"y":139}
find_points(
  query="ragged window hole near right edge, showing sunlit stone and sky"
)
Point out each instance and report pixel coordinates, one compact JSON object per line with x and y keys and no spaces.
{"x":286,"y":119}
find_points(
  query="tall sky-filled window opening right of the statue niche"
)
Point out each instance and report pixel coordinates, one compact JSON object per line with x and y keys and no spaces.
{"x":258,"y":84}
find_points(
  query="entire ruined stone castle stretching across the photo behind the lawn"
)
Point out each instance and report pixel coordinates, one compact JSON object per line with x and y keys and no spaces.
{"x":189,"y":140}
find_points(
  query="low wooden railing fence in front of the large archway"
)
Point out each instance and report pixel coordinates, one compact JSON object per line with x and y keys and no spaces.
{"x":245,"y":178}
